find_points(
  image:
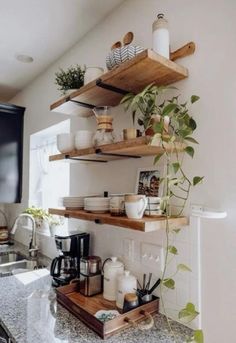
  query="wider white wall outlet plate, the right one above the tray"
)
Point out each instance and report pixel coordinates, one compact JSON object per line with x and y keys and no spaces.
{"x":152,"y":256}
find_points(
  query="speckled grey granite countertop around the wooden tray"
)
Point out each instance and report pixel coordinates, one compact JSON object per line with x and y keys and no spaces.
{"x":30,"y":314}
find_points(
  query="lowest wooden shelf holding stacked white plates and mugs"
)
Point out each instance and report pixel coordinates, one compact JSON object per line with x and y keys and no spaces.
{"x":146,"y":224}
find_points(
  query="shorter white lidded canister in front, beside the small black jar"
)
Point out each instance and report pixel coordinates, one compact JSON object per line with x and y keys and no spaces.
{"x":126,"y":283}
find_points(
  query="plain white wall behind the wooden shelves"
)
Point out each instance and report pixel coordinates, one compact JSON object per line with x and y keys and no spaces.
{"x":211,"y":25}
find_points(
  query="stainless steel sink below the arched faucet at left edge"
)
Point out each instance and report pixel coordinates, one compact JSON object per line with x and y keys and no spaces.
{"x":13,"y":262}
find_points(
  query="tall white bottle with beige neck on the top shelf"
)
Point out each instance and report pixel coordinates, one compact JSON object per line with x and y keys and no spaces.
{"x":160,"y":36}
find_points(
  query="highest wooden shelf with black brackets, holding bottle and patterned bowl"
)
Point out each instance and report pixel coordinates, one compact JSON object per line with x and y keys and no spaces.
{"x":130,"y":76}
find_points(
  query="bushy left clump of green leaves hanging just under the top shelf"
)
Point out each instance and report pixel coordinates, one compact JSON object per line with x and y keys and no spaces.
{"x":145,"y":104}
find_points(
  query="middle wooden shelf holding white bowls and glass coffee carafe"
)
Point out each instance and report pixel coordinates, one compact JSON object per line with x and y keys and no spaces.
{"x":136,"y":147}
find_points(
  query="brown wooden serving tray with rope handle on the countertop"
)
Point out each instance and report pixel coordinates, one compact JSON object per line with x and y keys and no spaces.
{"x":85,"y":308}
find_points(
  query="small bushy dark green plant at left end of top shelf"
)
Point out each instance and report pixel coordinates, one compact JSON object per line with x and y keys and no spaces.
{"x":70,"y":79}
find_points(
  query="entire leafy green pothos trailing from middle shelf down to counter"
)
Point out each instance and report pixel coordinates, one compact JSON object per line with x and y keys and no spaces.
{"x":176,"y":183}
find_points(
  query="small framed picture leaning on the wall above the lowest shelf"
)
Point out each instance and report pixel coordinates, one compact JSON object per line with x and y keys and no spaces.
{"x":148,"y":182}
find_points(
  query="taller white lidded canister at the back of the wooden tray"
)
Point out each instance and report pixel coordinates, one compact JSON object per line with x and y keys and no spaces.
{"x":112,"y":268}
